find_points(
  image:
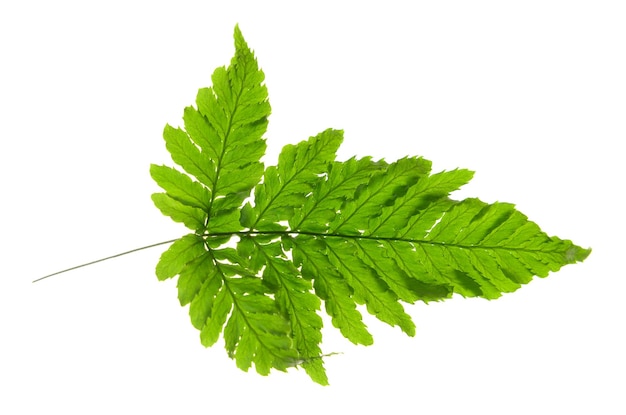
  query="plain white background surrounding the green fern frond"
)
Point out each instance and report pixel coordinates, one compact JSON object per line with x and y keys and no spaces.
{"x":530,"y":95}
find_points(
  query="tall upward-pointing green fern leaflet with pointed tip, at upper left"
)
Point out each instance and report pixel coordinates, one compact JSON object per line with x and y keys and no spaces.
{"x":222,"y":145}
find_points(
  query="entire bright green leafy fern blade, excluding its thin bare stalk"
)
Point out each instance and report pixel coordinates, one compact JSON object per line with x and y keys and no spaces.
{"x":270,"y":245}
